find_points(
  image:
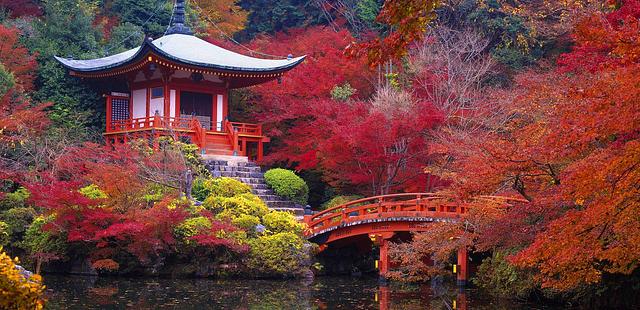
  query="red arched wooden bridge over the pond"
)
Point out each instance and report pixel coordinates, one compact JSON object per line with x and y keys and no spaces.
{"x":381,"y":217}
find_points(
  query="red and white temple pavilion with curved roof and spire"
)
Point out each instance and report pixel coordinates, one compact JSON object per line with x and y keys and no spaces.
{"x":178,"y":85}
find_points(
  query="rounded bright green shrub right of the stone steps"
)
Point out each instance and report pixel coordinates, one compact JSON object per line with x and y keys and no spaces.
{"x":287,"y":184}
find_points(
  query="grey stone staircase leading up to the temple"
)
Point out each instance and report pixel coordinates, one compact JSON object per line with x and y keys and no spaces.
{"x":251,"y":174}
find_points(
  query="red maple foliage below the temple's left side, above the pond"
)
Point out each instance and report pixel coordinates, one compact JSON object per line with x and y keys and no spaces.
{"x":122,"y":221}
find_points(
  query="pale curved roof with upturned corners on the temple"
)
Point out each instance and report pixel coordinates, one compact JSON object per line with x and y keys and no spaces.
{"x":186,"y":49}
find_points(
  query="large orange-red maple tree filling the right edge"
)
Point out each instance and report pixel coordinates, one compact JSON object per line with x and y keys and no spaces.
{"x":572,"y":147}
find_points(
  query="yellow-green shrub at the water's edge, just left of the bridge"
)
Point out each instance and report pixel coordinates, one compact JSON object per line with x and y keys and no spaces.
{"x":283,"y":254}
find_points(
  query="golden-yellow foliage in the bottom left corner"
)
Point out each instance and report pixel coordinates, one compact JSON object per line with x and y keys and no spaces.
{"x":17,"y":291}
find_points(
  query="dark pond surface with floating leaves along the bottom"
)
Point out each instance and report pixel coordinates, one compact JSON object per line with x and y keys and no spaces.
{"x":78,"y":292}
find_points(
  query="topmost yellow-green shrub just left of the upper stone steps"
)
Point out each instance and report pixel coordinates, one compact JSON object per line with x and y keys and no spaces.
{"x":225,"y":187}
